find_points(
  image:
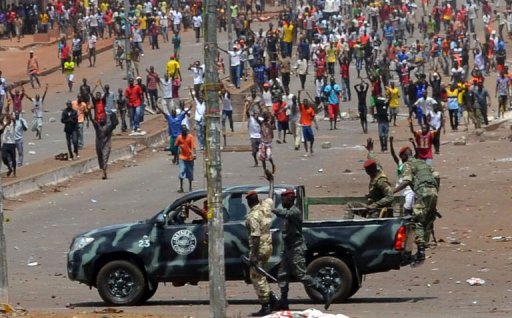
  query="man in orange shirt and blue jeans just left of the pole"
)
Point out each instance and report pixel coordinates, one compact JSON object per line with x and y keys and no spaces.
{"x":187,"y":145}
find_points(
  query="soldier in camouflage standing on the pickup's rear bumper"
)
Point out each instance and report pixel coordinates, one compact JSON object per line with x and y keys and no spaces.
{"x":425,"y":183}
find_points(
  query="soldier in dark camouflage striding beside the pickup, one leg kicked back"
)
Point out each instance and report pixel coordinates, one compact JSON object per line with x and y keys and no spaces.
{"x":292,"y":259}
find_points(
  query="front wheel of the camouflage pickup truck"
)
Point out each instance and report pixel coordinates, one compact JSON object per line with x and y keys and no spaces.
{"x":121,"y":283}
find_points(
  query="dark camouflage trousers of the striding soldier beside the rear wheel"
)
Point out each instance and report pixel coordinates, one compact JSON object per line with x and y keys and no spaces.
{"x":293,"y":264}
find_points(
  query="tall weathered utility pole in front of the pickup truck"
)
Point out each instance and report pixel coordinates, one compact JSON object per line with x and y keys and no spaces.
{"x":211,"y":88}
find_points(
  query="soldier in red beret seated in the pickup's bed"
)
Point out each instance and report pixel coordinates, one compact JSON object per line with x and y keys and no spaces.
{"x":380,"y":195}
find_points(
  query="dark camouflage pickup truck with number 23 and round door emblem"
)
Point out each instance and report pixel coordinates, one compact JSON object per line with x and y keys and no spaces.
{"x":126,"y":262}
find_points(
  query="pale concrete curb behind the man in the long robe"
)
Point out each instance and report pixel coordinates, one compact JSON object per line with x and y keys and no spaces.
{"x":84,"y":165}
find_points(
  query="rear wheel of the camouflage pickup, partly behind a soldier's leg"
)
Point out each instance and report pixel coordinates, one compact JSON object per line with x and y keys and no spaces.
{"x":332,"y":273}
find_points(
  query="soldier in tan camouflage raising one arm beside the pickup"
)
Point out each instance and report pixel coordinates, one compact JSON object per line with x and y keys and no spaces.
{"x":258,"y":223}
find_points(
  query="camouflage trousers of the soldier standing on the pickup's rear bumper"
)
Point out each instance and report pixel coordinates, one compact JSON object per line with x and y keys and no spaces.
{"x":424,"y":213}
